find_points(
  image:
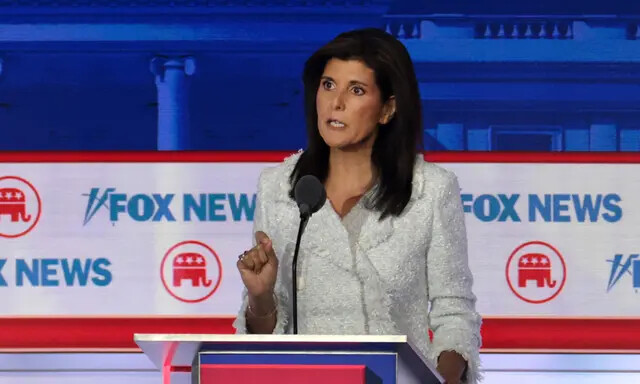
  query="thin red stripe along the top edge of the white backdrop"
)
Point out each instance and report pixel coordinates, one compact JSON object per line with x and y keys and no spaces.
{"x":277,"y":156}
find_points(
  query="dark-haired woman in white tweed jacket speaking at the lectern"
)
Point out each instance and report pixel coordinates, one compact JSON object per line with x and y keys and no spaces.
{"x":391,"y":238}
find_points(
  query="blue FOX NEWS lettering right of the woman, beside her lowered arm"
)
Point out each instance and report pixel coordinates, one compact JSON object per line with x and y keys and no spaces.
{"x":554,"y":208}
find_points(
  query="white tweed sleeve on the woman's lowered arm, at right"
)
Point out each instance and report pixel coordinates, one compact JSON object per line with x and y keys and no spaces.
{"x":452,"y":316}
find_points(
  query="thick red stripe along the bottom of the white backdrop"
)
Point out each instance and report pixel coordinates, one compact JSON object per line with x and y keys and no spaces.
{"x":497,"y":333}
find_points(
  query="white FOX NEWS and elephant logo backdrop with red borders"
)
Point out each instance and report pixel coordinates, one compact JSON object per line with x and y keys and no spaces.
{"x":96,"y":247}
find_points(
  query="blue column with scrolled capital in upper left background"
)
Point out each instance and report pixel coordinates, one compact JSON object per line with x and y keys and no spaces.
{"x":172,"y":84}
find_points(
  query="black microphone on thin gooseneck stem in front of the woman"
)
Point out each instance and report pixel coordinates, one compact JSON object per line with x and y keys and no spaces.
{"x":310,"y":196}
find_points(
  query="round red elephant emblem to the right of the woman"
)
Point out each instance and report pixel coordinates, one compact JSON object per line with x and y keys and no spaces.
{"x":536,"y":272}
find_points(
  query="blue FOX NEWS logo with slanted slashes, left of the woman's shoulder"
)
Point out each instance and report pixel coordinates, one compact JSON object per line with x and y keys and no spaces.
{"x":155,"y":207}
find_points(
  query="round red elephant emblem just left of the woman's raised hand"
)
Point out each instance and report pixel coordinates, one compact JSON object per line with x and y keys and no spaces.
{"x":191,"y":271}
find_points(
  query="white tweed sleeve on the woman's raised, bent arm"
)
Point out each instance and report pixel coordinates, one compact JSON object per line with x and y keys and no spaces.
{"x":261,"y":223}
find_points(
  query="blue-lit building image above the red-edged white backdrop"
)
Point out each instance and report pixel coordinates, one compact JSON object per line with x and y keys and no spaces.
{"x":494,"y":75}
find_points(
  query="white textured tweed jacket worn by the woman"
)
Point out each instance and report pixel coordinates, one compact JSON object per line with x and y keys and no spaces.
{"x":408,"y":274}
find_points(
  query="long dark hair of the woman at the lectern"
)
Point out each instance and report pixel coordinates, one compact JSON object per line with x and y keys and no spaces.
{"x":397,"y":143}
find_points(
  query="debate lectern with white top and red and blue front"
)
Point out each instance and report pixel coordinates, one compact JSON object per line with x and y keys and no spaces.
{"x":287,"y":359}
